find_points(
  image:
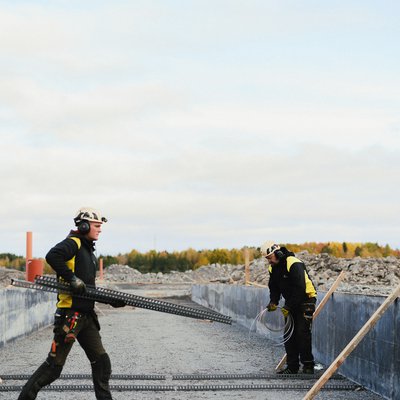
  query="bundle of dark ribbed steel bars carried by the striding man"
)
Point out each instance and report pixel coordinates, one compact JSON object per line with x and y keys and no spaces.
{"x":109,"y":296}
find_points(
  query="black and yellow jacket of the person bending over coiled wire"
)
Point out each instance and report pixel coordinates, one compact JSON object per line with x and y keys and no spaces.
{"x":289,"y":278}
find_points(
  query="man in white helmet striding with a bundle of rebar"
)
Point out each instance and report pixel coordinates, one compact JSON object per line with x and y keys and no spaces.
{"x":74,"y":262}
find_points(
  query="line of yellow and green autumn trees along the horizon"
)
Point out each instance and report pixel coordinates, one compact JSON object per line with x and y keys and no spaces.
{"x":164,"y":261}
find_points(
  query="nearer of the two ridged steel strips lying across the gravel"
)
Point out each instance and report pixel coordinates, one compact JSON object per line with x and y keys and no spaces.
{"x":184,"y":388}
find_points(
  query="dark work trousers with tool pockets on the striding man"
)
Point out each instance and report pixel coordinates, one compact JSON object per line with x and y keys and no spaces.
{"x":86,"y":330}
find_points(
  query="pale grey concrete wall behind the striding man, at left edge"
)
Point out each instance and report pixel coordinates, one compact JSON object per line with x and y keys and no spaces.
{"x":23,"y":311}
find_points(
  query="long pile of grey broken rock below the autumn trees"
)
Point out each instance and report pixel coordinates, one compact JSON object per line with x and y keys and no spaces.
{"x":375,"y":276}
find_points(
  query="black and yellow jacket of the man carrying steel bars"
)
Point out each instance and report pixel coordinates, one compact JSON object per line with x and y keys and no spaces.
{"x":74,"y":256}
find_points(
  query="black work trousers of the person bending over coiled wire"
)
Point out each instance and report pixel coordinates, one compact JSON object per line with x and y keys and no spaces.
{"x":299,"y":346}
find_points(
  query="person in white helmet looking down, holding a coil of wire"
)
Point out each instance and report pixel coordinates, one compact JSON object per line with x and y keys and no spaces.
{"x":288,"y":278}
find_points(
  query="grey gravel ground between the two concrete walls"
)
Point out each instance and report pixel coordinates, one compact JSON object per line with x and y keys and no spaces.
{"x":147,"y":342}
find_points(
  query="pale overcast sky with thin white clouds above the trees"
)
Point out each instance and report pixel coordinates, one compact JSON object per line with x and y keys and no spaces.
{"x":203,"y":124}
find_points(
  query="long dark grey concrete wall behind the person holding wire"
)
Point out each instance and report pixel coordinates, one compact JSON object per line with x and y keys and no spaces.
{"x":374,"y":364}
